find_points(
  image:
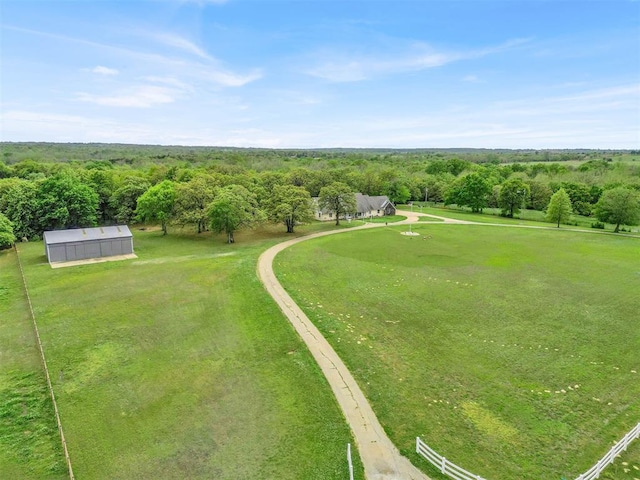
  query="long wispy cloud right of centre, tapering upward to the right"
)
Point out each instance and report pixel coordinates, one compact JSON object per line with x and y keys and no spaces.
{"x":343,"y":68}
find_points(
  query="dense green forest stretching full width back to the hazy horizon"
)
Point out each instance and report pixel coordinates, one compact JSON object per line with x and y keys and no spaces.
{"x":51,"y":186}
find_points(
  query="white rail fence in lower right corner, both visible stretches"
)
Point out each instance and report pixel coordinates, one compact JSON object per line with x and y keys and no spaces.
{"x":459,"y":473}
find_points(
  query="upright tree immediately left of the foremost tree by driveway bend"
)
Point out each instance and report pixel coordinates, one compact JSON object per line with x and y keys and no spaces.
{"x":192,"y":200}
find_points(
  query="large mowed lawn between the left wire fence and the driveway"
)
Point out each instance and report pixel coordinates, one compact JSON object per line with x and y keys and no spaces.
{"x":178,"y":365}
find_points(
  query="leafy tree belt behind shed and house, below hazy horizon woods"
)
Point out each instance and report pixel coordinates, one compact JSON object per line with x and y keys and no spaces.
{"x":234,"y":190}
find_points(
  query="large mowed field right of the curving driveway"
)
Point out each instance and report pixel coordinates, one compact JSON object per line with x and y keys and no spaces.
{"x":513,"y":352}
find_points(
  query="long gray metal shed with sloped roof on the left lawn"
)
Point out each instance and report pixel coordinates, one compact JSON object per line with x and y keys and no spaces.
{"x":84,"y":243}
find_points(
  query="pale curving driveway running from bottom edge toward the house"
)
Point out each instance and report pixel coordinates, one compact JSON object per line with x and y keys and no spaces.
{"x":381,"y":459}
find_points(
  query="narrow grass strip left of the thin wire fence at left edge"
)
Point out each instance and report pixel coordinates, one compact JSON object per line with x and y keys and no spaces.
{"x":30,"y":447}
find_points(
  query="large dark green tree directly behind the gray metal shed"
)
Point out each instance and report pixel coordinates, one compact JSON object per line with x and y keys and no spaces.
{"x":63,"y":201}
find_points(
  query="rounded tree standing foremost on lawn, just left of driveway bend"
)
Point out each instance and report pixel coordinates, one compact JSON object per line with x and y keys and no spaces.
{"x":234,"y":208}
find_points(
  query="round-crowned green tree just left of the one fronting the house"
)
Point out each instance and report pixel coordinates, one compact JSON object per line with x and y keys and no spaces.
{"x":289,"y":204}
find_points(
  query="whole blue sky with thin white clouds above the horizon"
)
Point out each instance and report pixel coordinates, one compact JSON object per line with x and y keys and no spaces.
{"x":323,"y":73}
